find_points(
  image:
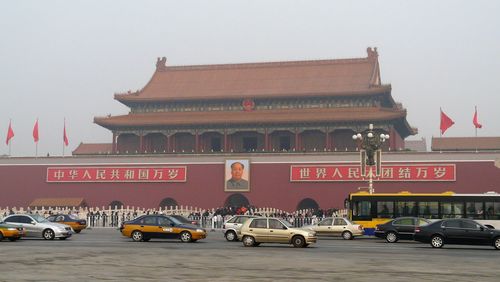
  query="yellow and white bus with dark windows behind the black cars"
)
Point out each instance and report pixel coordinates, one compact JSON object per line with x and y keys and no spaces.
{"x":372,"y":209}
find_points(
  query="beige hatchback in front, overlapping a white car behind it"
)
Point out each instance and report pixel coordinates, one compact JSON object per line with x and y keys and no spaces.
{"x":273,"y":230}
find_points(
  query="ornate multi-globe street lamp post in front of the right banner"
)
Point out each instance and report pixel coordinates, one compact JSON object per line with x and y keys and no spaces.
{"x":370,"y":152}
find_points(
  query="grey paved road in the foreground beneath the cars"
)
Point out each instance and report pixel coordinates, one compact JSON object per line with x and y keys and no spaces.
{"x":103,"y":254}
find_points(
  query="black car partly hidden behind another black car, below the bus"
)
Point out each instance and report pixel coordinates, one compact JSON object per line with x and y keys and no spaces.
{"x":399,"y":228}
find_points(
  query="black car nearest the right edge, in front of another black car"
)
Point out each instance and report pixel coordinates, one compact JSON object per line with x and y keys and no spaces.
{"x":457,"y":231}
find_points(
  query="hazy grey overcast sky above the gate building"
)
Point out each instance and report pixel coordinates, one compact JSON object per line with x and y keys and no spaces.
{"x":66,"y":59}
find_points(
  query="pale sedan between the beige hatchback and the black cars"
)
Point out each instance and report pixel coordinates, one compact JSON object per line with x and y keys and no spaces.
{"x":337,"y":226}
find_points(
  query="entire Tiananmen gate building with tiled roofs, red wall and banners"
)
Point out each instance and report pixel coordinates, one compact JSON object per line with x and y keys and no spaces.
{"x":288,"y":126}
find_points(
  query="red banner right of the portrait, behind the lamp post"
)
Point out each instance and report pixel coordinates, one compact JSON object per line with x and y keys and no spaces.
{"x":397,"y":172}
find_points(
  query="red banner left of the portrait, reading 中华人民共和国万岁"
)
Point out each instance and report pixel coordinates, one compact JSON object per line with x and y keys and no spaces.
{"x":117,"y":174}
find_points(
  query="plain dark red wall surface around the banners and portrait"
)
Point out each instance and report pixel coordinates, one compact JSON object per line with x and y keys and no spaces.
{"x":270,"y":187}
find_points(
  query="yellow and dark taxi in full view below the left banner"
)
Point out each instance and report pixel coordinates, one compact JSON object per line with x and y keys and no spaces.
{"x":147,"y":227}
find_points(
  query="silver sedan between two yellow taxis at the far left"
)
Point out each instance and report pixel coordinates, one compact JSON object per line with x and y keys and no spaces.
{"x":39,"y":227}
